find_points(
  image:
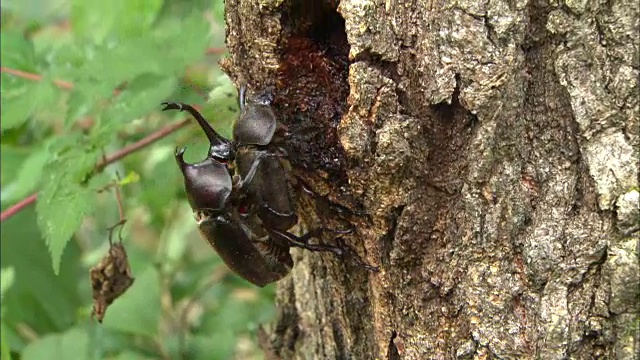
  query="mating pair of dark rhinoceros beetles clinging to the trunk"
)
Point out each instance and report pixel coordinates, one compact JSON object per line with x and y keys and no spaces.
{"x":241,"y":196}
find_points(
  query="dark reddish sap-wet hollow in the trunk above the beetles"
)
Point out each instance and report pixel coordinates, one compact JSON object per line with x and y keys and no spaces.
{"x":312,"y":87}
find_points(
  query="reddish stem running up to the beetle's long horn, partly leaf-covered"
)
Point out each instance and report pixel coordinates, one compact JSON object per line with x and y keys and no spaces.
{"x":148,"y":140}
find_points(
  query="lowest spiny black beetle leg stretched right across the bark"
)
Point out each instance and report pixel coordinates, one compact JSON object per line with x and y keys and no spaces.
{"x":341,"y":250}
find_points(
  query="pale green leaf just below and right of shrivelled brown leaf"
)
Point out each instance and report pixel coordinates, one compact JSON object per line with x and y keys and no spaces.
{"x":138,"y":310}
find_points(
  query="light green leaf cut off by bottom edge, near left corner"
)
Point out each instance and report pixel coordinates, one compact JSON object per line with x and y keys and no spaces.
{"x":72,"y":344}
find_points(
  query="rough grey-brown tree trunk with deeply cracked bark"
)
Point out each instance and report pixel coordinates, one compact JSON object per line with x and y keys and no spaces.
{"x":493,"y":146}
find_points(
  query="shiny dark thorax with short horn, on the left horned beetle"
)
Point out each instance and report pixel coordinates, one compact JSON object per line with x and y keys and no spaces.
{"x":207,"y":183}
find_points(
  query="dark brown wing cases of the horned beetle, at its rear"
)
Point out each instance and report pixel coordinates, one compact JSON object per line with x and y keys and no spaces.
{"x":257,"y":262}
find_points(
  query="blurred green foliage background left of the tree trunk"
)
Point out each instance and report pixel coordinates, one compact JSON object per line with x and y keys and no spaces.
{"x":62,"y":60}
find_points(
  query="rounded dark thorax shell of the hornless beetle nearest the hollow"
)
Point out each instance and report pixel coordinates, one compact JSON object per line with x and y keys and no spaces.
{"x":255,"y":126}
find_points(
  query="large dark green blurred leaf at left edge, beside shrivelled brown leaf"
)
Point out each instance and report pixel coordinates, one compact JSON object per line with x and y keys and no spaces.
{"x":39,"y":298}
